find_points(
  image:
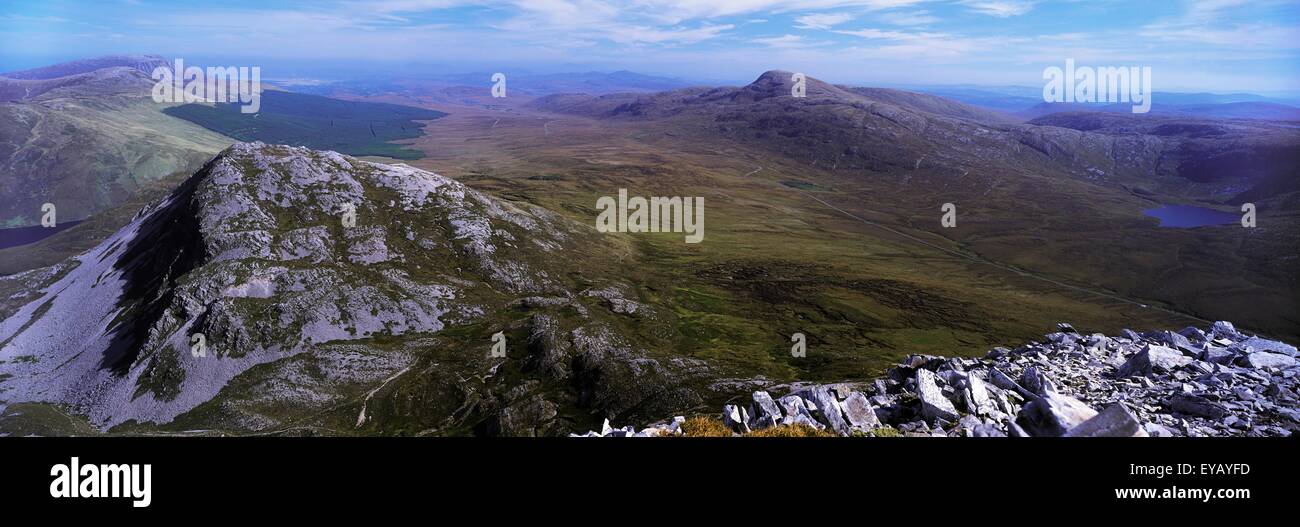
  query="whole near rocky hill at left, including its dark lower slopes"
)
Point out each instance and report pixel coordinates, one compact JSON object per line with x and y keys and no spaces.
{"x":384,"y":327}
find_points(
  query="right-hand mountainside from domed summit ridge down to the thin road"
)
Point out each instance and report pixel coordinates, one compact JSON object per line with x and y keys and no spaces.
{"x":1051,"y":198}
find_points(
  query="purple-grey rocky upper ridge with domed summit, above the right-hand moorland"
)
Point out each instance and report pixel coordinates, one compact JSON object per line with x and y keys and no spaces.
{"x":885,"y":131}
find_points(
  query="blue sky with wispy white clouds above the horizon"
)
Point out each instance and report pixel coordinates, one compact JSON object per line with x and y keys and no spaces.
{"x":1221,"y":46}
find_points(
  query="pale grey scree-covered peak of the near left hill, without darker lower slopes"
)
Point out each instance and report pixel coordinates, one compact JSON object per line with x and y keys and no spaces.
{"x":259,"y":224}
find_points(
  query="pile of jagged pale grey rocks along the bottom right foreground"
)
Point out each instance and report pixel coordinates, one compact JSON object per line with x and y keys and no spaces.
{"x":1190,"y":383}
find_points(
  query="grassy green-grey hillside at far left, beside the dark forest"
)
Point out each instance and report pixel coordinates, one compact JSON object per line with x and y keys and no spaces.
{"x":86,"y":136}
